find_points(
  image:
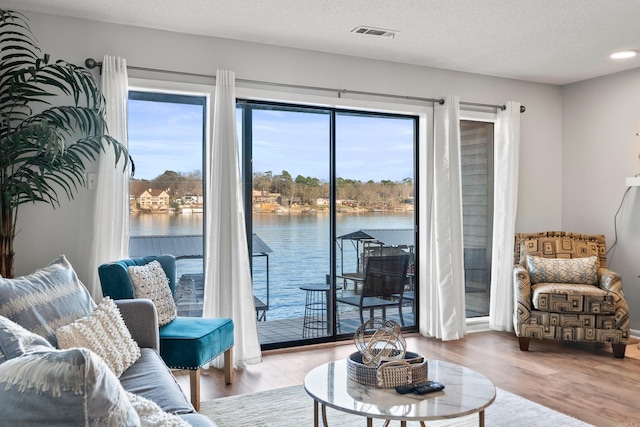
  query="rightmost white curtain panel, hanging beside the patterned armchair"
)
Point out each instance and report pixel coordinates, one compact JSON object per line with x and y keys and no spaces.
{"x":507,"y":147}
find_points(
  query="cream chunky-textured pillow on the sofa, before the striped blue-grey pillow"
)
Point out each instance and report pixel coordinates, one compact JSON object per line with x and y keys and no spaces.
{"x":104,"y":333}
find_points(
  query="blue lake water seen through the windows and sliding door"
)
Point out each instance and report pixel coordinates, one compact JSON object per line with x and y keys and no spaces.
{"x":300,"y":245}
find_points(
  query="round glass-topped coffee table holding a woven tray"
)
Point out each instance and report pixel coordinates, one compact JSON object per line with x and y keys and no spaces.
{"x":466,"y":392}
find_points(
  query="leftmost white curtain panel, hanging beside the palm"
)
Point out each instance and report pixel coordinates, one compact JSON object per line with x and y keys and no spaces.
{"x":110,"y":240}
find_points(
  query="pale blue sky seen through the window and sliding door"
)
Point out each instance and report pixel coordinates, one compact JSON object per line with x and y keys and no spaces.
{"x":165,"y":136}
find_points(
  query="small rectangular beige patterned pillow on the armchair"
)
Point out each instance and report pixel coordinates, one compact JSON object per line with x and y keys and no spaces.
{"x":563,"y":270}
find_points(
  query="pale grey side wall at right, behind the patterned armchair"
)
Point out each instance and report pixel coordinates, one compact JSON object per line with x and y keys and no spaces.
{"x":600,"y":149}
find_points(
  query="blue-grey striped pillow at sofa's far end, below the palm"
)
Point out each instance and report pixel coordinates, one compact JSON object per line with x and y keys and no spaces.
{"x":46,"y":299}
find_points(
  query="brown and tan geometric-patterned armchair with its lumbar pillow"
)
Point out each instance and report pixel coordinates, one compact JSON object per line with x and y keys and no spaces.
{"x":563,"y":291}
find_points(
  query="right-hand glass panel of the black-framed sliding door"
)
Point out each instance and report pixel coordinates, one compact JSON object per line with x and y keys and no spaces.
{"x":375,"y":213}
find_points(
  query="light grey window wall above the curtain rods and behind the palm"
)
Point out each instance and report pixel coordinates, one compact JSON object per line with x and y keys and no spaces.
{"x":46,"y":233}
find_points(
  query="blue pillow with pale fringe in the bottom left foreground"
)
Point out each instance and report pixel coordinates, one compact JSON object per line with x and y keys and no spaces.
{"x":63,"y":388}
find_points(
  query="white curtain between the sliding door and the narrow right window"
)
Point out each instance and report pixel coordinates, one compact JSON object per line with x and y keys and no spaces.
{"x":444,"y":312}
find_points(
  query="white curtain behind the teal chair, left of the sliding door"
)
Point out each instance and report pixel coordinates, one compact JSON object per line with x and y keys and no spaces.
{"x":228,"y":289}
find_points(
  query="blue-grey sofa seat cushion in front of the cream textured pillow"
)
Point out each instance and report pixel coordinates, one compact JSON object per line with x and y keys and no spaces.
{"x":149,"y":377}
